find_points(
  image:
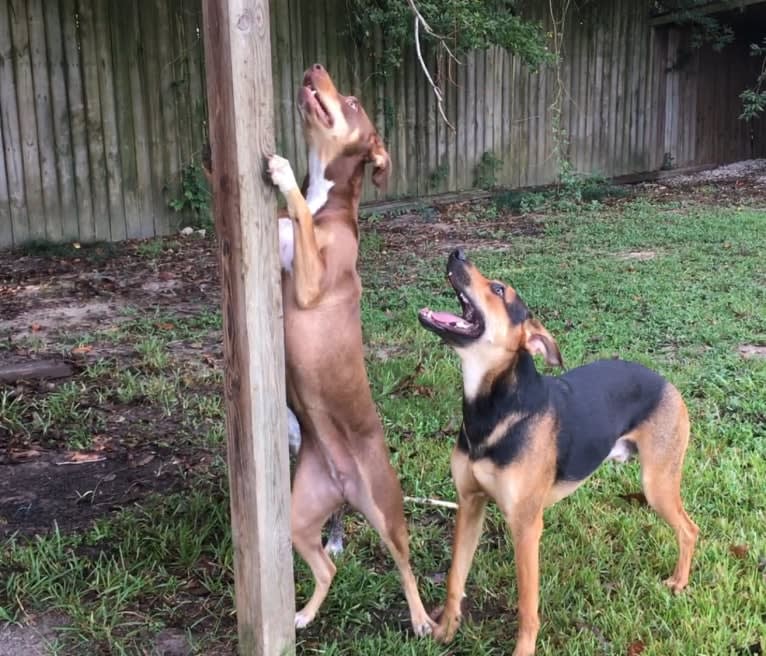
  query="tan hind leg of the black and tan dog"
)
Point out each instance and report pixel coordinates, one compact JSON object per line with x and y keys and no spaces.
{"x":661,"y":451}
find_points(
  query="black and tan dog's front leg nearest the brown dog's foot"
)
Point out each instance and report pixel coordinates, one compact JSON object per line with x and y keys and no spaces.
{"x":472,"y":503}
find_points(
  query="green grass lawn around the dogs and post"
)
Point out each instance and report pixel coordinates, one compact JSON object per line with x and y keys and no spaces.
{"x":679,"y":286}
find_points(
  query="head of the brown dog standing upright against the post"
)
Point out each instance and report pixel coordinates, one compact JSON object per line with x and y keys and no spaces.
{"x":337,"y":126}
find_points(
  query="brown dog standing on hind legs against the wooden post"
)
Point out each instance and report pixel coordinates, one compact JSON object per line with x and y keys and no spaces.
{"x":343,"y":456}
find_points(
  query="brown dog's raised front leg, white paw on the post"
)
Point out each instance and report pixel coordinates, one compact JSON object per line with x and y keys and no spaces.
{"x":308,"y":264}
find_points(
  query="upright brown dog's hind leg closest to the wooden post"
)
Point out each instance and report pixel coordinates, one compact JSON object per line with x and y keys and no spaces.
{"x":315,"y":497}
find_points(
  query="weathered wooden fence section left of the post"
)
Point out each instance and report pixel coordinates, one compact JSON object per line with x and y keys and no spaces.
{"x":101,"y":104}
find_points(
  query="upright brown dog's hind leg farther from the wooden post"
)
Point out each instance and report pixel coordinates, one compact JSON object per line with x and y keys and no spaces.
{"x":378,"y":496}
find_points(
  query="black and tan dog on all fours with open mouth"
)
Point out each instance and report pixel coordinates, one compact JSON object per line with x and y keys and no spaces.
{"x":529,"y":440}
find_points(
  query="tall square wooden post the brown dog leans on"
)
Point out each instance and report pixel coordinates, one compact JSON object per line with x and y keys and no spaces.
{"x":240,"y":101}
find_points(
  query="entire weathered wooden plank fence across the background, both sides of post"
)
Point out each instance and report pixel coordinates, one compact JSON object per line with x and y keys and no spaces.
{"x":101,"y":107}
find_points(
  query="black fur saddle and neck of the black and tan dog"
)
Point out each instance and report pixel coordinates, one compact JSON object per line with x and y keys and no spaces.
{"x":593,"y":406}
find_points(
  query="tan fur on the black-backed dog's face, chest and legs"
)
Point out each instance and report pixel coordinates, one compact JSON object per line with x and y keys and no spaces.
{"x":524,"y":488}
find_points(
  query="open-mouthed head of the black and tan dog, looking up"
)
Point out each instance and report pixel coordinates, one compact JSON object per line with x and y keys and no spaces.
{"x":494,"y":326}
